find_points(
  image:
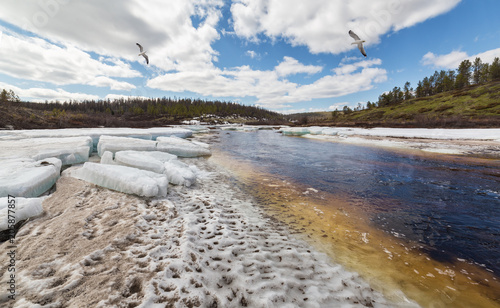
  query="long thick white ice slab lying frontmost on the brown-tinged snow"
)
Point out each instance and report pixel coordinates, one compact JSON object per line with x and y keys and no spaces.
{"x":124,"y":179}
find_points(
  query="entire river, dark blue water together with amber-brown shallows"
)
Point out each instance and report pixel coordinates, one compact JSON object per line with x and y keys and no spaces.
{"x":362,"y":232}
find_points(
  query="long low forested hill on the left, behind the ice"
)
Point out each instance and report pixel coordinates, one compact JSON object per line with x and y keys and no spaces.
{"x":130,"y":112}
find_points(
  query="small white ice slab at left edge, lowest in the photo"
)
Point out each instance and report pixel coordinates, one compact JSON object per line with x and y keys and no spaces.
{"x":23,"y":208}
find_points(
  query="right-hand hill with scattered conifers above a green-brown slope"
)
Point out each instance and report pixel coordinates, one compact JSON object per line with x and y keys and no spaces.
{"x":466,"y":97}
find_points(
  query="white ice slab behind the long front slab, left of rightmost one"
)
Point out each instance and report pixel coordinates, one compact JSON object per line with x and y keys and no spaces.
{"x":114,"y":144}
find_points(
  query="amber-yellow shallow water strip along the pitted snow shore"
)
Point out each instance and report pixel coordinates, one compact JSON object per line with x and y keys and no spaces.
{"x":334,"y":225}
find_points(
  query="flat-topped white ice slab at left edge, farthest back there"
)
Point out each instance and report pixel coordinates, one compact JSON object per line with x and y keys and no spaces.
{"x":70,"y":150}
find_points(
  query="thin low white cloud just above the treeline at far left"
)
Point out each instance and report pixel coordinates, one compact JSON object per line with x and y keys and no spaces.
{"x":42,"y":94}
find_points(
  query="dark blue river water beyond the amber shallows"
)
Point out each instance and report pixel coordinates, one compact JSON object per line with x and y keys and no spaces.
{"x":447,"y":207}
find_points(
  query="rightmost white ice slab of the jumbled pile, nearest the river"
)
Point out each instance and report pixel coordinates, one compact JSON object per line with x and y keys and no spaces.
{"x":182,"y":147}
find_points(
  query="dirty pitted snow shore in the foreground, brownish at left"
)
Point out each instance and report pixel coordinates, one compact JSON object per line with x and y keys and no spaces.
{"x":207,"y":245}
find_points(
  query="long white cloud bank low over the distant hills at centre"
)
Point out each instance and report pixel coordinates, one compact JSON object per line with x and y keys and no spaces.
{"x":268,"y":87}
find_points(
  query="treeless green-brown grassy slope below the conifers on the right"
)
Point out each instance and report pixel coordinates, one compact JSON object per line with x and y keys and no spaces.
{"x":470,"y":107}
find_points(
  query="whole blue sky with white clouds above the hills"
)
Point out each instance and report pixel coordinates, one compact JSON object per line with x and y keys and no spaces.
{"x":283,"y":55}
